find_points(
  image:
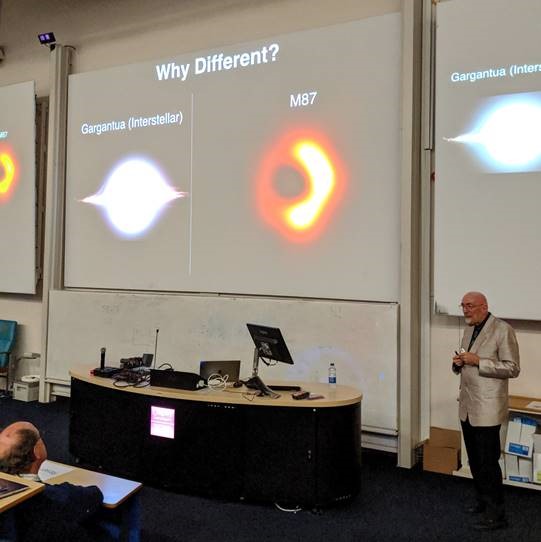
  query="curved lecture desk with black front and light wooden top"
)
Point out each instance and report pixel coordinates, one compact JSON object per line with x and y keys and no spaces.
{"x":304,"y":453}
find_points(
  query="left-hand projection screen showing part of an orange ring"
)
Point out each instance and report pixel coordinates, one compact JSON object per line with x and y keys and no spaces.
{"x":18,"y":188}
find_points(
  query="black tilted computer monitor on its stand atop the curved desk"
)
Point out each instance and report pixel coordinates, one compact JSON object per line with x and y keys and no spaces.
{"x":269,"y":345}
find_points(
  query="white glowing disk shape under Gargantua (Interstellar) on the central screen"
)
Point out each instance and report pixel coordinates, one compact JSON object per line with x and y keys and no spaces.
{"x":133,"y":196}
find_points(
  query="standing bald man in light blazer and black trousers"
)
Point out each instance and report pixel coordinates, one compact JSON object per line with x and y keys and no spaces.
{"x":487,"y":359}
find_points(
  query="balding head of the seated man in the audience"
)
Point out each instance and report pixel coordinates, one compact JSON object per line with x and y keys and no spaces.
{"x":22,"y":449}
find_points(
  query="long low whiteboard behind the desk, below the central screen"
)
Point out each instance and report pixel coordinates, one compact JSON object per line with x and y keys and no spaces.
{"x":360,"y":338}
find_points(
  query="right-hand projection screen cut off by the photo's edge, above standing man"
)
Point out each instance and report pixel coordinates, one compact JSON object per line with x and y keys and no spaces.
{"x":488,"y":155}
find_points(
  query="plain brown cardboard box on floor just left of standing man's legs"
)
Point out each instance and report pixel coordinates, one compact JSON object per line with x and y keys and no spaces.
{"x":441,"y":453}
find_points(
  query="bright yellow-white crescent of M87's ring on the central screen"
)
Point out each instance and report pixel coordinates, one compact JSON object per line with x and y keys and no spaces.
{"x":321,"y":177}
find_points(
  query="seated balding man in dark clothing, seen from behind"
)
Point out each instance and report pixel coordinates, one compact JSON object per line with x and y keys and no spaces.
{"x":63,"y":511}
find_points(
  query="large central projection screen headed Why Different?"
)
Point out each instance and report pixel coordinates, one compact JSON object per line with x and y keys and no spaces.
{"x":266,"y":168}
